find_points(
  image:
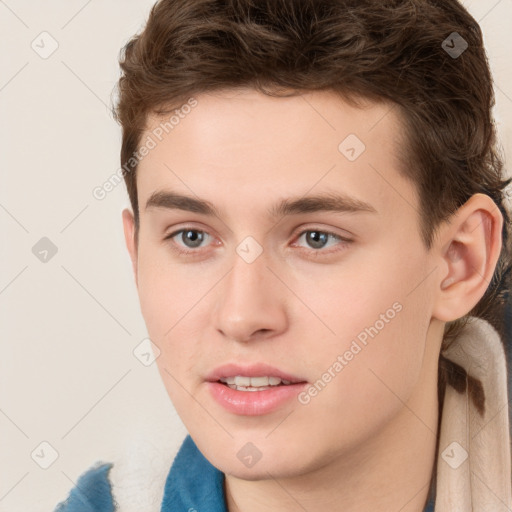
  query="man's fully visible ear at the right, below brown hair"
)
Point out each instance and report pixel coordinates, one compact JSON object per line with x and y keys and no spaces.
{"x":468,"y":247}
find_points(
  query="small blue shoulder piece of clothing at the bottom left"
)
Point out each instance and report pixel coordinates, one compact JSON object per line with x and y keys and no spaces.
{"x":92,"y":492}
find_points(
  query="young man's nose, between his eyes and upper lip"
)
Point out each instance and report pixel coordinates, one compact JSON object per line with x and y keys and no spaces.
{"x":251,"y":303}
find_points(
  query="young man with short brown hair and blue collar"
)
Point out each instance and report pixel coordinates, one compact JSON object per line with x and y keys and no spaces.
{"x":320,"y":244}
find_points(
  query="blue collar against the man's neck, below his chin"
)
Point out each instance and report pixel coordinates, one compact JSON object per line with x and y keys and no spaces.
{"x":194,"y":484}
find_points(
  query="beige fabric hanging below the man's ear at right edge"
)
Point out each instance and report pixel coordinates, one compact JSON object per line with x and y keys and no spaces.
{"x":473,"y":467}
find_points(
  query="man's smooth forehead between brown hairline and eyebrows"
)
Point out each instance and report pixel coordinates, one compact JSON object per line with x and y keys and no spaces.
{"x":265,"y":147}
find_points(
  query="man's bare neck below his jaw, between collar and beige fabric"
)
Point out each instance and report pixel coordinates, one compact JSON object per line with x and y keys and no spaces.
{"x":392,"y":471}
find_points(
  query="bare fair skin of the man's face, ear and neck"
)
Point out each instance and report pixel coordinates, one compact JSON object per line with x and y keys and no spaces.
{"x":367,"y":440}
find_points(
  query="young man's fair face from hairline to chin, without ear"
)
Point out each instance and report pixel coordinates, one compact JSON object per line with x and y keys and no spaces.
{"x":338,"y":301}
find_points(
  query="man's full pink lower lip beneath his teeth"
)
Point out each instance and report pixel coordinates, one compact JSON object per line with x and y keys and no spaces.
{"x":254,"y":403}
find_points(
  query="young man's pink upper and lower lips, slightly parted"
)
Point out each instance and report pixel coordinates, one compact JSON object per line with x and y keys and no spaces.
{"x":252,"y":403}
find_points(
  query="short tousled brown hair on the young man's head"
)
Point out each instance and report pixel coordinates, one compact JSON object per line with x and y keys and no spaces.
{"x":394,"y":51}
